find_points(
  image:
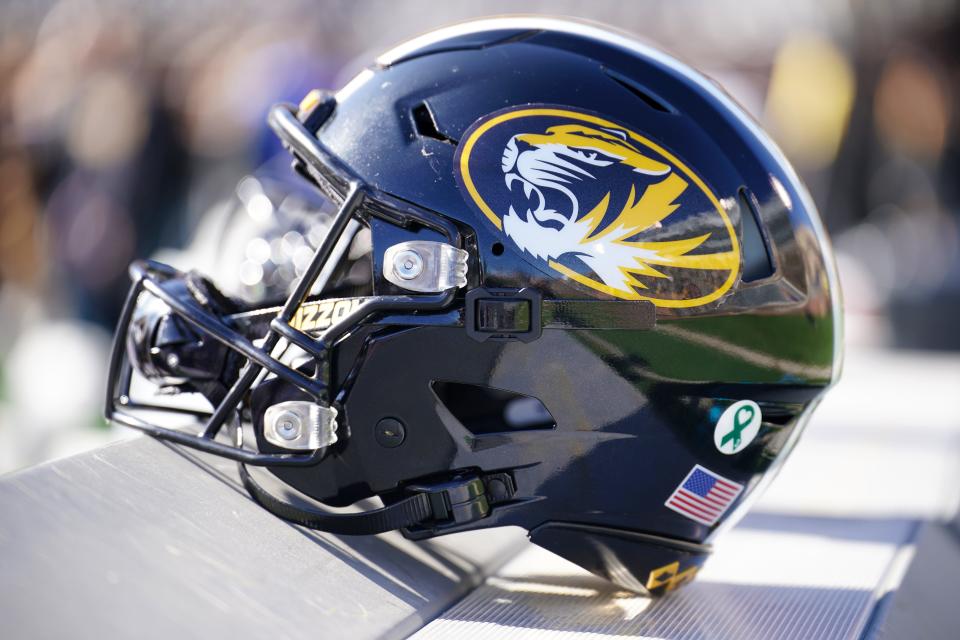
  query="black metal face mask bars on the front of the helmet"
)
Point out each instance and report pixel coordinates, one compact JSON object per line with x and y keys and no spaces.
{"x":357,"y":200}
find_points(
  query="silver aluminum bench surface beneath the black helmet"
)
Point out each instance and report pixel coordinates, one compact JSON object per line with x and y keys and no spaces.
{"x":858,"y":537}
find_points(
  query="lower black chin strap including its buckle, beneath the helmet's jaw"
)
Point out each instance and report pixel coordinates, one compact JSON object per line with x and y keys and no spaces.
{"x":431,"y":507}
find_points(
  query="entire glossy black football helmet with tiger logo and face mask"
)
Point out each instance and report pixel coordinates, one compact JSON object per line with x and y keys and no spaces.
{"x":602,"y":306}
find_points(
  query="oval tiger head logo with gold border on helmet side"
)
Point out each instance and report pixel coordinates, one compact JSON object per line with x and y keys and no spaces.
{"x":599,"y":204}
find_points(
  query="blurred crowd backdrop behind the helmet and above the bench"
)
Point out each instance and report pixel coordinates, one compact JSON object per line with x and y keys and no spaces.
{"x":132,"y":129}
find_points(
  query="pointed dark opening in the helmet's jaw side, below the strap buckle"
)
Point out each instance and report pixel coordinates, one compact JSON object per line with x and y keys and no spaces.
{"x":484,"y":410}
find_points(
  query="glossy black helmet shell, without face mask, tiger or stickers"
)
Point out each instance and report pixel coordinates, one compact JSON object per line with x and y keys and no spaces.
{"x":633,"y":412}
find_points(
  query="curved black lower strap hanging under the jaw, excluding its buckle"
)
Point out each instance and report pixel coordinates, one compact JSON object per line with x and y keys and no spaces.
{"x":405,"y":513}
